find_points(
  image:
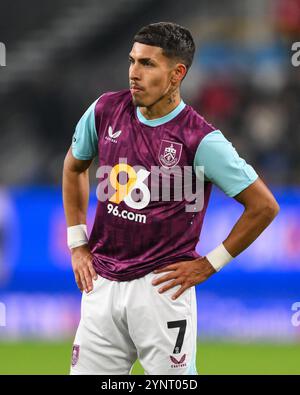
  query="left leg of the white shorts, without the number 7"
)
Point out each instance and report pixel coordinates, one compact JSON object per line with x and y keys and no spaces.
{"x":102,"y":344}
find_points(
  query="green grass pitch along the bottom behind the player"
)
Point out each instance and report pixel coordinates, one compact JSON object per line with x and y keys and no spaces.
{"x":212,"y":358}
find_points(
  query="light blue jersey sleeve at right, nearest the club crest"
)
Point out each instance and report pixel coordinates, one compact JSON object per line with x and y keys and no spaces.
{"x":222,"y":165}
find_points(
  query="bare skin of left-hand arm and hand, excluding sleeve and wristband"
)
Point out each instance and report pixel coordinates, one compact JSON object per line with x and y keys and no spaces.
{"x":75,"y":199}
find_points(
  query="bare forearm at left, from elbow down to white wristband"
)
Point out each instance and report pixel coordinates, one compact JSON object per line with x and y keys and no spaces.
{"x":75,"y":196}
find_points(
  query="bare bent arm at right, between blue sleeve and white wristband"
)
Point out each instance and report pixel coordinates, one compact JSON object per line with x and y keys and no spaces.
{"x":260,"y":210}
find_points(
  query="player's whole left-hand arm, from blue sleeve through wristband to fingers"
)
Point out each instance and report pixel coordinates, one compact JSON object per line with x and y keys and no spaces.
{"x":76,"y":195}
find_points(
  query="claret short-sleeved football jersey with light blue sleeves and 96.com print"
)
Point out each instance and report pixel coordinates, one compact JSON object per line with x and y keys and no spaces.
{"x":154,"y":182}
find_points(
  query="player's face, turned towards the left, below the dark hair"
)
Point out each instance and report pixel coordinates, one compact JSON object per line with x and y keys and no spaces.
{"x":150,"y":74}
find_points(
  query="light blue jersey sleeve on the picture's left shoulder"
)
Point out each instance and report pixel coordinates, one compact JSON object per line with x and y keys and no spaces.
{"x":85,"y":139}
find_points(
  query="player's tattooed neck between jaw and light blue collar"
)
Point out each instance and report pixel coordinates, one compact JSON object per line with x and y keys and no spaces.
{"x":162,"y":107}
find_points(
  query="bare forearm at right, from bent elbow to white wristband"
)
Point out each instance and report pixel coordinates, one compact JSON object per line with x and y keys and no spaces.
{"x":249,"y":226}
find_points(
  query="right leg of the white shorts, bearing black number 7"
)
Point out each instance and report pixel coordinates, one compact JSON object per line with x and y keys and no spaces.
{"x":164,"y":330}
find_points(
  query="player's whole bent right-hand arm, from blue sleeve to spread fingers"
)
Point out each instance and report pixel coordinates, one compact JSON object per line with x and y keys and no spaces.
{"x":225,"y":168}
